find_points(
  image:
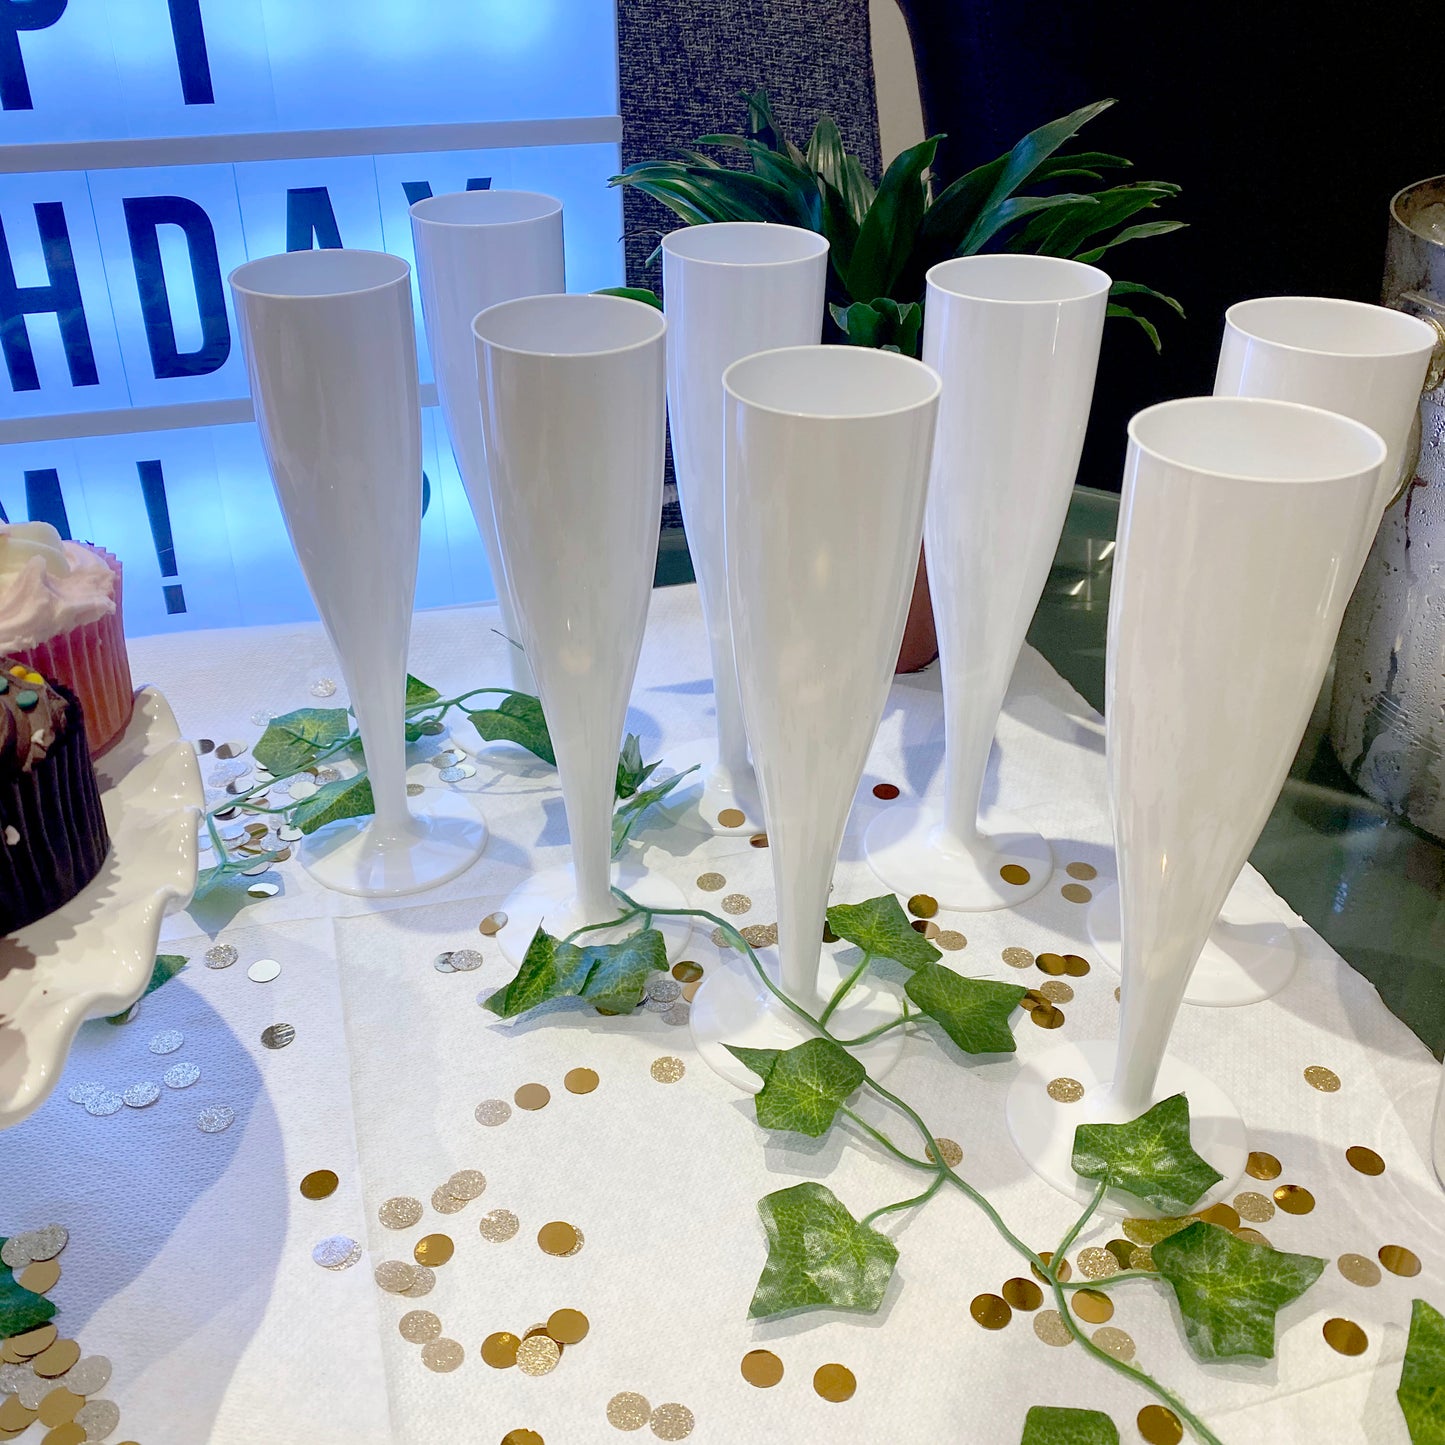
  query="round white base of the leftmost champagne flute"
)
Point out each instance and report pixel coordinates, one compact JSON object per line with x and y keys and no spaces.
{"x":447,"y":839}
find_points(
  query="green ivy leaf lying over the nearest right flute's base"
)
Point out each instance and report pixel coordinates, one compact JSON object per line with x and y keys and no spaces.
{"x":1149,"y":1158}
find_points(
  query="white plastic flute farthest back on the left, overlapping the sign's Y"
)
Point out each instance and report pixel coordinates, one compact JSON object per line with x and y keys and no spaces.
{"x":473,"y":251}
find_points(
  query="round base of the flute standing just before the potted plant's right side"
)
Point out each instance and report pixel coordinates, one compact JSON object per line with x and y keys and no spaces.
{"x":907,"y":847}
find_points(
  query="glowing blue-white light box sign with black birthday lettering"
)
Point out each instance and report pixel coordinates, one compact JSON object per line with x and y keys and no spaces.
{"x":115,"y":313}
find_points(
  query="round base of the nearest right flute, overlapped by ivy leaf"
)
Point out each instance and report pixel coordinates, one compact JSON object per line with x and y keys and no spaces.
{"x":1043,"y":1129}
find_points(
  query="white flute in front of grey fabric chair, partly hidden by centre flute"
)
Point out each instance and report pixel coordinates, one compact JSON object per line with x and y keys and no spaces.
{"x":730,"y":288}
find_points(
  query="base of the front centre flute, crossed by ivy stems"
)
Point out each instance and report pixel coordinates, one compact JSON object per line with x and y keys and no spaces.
{"x":733,"y":1006}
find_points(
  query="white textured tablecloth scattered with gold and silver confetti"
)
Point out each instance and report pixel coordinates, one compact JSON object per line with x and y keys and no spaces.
{"x":190,"y":1258}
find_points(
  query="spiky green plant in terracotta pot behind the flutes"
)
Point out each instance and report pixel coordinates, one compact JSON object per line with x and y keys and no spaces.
{"x":1041,"y":199}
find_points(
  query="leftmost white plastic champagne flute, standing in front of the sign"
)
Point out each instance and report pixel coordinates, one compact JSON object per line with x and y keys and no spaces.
{"x":332,"y":358}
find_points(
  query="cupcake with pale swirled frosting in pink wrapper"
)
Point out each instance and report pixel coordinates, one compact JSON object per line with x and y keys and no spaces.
{"x":60,"y":612}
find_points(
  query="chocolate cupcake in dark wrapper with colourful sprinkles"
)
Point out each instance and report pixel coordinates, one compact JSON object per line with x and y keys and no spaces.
{"x":53,"y":830}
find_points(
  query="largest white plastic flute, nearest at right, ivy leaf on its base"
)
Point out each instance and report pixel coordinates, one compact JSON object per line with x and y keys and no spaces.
{"x":1238,"y":544}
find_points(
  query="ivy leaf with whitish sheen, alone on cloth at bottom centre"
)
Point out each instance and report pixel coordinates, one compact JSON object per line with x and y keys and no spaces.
{"x":819,"y":1255}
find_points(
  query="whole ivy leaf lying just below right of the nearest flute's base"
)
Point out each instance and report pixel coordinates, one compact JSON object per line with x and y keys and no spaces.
{"x":1230,"y":1290}
